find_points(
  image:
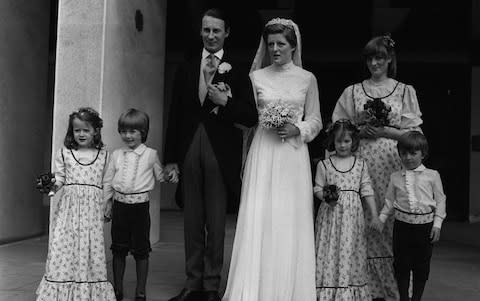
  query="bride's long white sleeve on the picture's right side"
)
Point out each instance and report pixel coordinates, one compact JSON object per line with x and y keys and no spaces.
{"x":311,"y":124}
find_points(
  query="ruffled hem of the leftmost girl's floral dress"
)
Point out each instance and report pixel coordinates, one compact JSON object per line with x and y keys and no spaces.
{"x":75,"y":291}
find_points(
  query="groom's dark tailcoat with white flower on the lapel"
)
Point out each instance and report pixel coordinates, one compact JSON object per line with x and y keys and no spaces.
{"x":187,"y":113}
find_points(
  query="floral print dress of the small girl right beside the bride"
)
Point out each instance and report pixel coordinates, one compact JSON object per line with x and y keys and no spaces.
{"x":341,"y":247}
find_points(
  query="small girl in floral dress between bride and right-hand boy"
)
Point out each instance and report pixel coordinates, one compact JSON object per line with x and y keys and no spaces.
{"x":340,"y":226}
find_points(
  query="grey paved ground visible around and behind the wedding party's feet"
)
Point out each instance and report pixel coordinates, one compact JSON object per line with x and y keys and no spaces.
{"x":455,"y":273}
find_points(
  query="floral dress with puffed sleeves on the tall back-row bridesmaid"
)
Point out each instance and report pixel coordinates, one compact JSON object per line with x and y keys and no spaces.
{"x":382,"y":160}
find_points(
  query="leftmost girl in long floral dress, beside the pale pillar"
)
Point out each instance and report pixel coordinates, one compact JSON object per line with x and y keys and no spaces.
{"x":76,"y":266}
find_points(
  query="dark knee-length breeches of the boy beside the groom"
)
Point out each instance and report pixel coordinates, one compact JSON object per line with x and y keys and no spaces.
{"x":131,"y":229}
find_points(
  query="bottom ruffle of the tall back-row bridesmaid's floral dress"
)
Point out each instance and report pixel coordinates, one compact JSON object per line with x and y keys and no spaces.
{"x":382,"y":280}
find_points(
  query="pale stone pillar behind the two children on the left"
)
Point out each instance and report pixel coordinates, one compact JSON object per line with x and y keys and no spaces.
{"x":110,"y":56}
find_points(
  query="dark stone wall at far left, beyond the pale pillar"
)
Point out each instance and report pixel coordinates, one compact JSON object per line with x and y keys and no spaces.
{"x":24,"y":115}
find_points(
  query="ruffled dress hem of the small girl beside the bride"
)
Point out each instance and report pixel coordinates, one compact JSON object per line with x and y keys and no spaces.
{"x":351,"y":293}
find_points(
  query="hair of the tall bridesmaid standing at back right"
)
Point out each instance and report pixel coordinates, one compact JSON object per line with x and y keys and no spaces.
{"x":383,"y":47}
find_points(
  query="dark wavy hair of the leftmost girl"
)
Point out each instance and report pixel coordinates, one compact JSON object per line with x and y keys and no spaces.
{"x":89,"y":116}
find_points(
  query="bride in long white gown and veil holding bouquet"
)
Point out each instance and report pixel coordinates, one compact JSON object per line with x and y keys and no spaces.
{"x":273,"y":253}
